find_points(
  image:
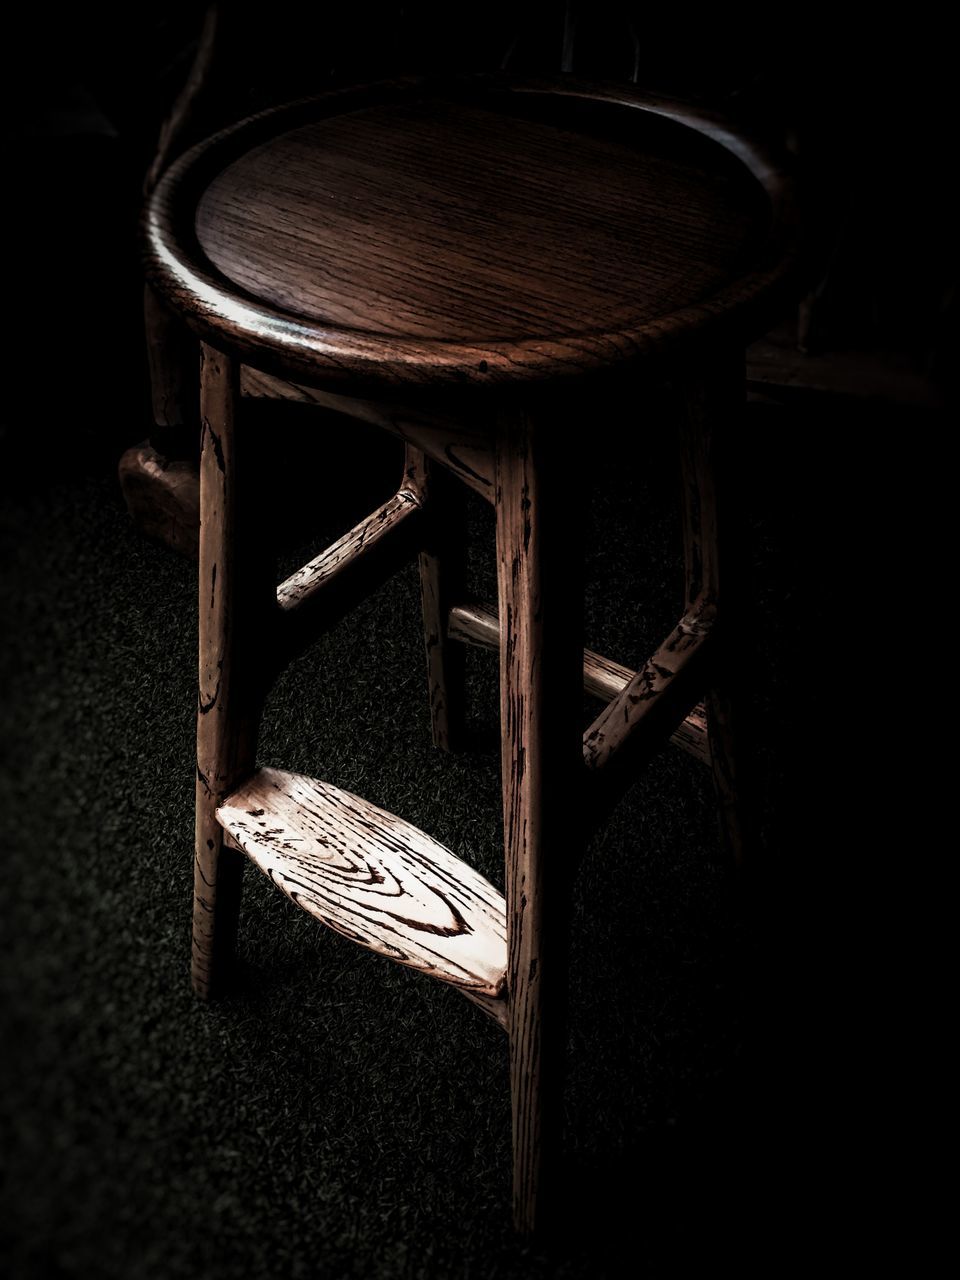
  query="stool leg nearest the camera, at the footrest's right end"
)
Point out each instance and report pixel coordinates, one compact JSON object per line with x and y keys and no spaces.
{"x":541,"y":609}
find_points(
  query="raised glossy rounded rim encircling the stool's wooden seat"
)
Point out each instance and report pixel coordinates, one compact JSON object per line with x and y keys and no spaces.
{"x":282,"y":341}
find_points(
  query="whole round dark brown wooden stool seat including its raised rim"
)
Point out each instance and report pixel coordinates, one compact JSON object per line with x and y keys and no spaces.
{"x":477,"y":231}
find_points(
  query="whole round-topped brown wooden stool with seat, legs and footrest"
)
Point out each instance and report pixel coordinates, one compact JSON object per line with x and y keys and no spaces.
{"x":479,"y":267}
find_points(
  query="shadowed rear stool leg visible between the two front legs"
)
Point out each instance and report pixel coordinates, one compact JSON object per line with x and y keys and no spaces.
{"x":442,"y":578}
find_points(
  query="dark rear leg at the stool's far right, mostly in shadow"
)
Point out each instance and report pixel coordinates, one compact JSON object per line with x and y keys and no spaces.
{"x":714,"y":406}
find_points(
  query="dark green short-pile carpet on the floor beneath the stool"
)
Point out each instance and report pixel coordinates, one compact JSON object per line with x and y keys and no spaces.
{"x":339,"y":1116}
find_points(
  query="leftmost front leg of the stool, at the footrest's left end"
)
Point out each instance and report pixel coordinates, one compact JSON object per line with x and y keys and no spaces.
{"x":231,"y":693}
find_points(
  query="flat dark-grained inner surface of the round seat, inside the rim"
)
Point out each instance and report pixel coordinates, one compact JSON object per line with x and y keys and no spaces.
{"x":423,"y":226}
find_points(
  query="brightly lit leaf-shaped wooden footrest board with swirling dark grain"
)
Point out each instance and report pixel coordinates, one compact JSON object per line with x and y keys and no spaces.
{"x":373,"y":877}
